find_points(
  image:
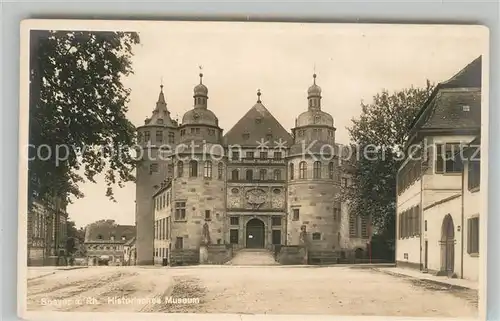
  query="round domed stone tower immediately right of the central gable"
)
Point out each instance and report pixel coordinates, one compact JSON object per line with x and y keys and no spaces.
{"x":312,"y":183}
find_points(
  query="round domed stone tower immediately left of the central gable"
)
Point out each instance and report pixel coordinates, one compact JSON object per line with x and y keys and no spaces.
{"x":199,"y":180}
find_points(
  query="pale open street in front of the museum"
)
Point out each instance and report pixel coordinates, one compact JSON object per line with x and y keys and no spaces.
{"x":234,"y":289}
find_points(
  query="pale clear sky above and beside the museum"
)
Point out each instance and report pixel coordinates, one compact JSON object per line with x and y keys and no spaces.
{"x":352,"y":63}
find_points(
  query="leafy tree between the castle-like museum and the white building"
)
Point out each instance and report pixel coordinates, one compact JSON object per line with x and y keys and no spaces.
{"x":379,"y":135}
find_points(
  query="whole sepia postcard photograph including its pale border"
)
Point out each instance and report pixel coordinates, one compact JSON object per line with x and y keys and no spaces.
{"x":263,"y":168}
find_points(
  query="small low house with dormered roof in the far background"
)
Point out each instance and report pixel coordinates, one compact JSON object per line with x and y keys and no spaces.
{"x":105,"y":241}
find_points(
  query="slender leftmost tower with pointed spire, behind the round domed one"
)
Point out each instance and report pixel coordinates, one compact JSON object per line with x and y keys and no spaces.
{"x":158,"y":132}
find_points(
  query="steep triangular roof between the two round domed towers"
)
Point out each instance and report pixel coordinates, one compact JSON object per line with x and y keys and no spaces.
{"x":255,"y":125}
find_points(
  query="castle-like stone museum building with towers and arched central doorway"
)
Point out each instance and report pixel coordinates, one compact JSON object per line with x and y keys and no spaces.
{"x":257,"y":186}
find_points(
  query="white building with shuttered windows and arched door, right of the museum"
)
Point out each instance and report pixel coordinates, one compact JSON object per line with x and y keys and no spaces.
{"x":438,"y":184}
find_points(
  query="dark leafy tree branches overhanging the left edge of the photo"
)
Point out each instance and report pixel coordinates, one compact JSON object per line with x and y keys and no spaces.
{"x":78,"y":108}
